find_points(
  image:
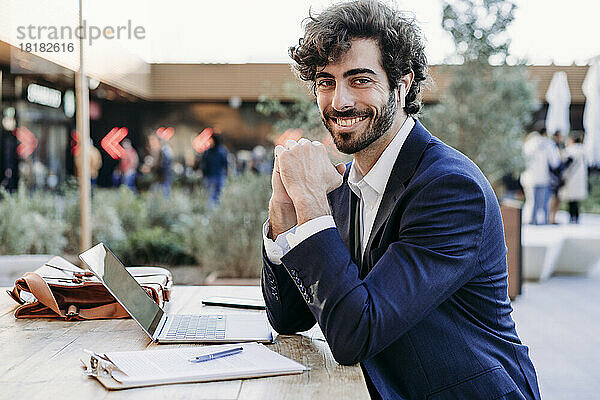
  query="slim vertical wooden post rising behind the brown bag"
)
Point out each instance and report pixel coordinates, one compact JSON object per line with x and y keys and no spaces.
{"x":83,"y":128}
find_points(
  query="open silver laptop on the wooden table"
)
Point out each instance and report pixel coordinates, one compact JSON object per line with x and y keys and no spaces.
{"x":172,"y":328}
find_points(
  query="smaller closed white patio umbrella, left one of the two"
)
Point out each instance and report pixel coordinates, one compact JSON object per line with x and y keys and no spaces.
{"x":558,"y":97}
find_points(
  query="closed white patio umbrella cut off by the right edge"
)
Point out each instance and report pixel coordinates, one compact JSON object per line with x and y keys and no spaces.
{"x":591,"y":113}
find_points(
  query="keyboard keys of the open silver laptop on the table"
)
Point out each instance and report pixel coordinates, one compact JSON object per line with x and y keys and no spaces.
{"x":197,"y":327}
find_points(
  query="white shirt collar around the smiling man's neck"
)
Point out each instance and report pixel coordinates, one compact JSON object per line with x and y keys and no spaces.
{"x":377,"y":177}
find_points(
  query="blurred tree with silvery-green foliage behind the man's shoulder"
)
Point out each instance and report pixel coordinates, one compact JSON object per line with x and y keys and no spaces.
{"x":485,"y":108}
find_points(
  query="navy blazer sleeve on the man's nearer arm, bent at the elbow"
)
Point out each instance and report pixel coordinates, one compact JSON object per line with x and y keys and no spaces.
{"x":435,"y":254}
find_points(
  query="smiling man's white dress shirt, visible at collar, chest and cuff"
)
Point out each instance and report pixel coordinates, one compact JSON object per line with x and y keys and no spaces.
{"x":369,"y":189}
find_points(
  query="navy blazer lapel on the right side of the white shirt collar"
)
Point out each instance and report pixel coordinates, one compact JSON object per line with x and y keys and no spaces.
{"x":403,"y":169}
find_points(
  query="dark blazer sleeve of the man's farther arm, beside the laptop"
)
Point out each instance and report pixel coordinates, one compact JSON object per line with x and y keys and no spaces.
{"x":286,"y":309}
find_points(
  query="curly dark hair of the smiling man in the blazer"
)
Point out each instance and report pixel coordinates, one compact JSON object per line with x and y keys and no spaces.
{"x":328,"y":35}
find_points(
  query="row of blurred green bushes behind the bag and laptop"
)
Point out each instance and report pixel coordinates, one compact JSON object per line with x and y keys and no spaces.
{"x":147,"y":228}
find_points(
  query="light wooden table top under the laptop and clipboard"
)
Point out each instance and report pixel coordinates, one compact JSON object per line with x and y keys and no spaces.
{"x":40,"y":358}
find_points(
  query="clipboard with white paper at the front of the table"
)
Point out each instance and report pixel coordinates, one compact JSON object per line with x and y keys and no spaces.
{"x":128,"y":369}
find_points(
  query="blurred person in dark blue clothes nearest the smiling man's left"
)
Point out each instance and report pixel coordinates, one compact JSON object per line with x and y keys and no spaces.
{"x":214,"y":169}
